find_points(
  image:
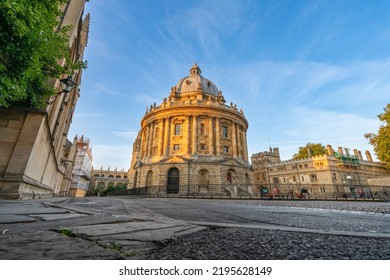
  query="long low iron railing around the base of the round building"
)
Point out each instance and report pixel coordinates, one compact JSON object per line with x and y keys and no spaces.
{"x":273,"y":191}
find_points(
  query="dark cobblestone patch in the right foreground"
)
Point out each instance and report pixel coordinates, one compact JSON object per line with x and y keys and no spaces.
{"x":259,"y":244}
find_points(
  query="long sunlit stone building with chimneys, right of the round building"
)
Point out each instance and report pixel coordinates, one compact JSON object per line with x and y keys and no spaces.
{"x":334,"y":172}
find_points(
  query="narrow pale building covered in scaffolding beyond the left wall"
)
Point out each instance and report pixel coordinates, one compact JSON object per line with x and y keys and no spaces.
{"x":81,"y":174}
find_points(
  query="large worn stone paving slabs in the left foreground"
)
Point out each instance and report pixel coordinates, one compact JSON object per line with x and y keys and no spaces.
{"x":99,"y":229}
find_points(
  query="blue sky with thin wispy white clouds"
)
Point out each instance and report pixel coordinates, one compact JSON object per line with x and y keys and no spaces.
{"x":302,"y":71}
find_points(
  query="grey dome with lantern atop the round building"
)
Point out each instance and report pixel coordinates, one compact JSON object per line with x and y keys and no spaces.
{"x":196,"y":82}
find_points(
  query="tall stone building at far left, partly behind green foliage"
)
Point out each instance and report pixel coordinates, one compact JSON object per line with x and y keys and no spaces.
{"x":33,"y":143}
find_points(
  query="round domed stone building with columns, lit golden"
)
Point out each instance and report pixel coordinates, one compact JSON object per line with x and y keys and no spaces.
{"x":192,"y":143}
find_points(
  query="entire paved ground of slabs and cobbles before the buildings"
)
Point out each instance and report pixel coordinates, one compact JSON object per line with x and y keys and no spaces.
{"x":120,"y":228}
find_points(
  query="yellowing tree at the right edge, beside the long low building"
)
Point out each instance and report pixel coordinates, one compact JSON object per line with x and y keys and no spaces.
{"x":381,"y":140}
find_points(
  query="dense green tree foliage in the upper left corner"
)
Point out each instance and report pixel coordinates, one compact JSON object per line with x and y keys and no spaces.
{"x":30,"y":49}
